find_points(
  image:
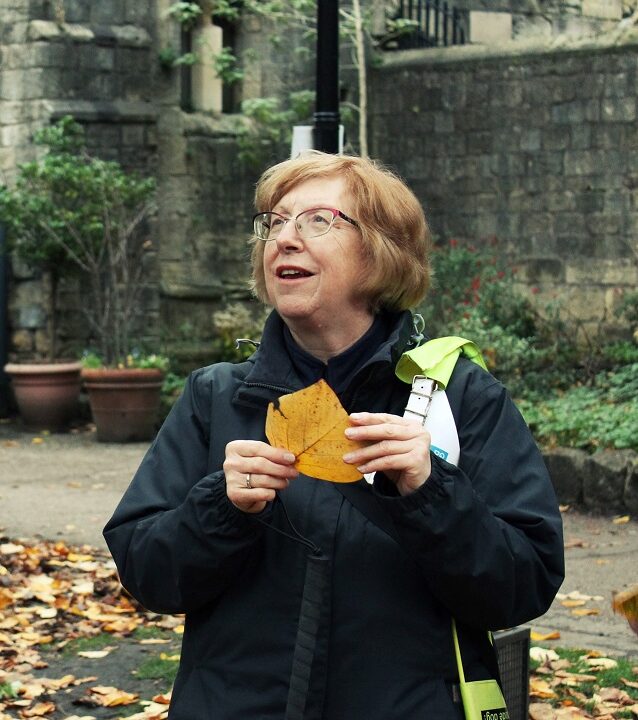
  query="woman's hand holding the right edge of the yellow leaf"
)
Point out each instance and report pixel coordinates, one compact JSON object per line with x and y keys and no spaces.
{"x":400,"y":448}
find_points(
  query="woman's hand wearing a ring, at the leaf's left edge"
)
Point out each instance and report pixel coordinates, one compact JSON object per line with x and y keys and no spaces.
{"x":254,"y":470}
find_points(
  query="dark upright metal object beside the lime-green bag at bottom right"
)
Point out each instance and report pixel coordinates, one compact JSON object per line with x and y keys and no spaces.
{"x":512,"y":649}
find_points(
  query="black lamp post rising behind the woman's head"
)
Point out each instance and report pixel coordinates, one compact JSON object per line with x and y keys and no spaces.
{"x":326,"y":117}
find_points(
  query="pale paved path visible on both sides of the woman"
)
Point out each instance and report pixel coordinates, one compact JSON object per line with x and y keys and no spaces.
{"x":67,"y":486}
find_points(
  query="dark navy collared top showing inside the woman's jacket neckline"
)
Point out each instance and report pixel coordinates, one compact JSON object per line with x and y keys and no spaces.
{"x":339,"y":370}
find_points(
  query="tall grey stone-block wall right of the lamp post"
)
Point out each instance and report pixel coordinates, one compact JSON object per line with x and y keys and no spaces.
{"x":537,"y":146}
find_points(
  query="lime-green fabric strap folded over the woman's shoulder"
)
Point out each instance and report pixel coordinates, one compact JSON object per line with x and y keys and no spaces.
{"x":436,"y":359}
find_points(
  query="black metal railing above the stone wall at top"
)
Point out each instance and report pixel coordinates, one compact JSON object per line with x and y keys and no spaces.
{"x":437,"y":23}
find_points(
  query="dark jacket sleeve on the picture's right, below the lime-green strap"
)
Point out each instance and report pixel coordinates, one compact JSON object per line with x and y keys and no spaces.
{"x":488,"y":534}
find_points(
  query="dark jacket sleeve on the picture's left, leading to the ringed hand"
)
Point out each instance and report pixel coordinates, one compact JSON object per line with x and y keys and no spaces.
{"x":175,"y":537}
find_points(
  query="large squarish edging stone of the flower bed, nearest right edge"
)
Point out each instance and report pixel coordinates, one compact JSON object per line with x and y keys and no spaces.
{"x":604,"y":479}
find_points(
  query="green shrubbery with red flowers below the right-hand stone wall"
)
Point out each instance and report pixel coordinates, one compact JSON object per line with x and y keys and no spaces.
{"x":570,"y":394}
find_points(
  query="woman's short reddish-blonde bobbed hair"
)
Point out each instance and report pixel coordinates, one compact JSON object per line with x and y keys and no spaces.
{"x":396,"y":240}
